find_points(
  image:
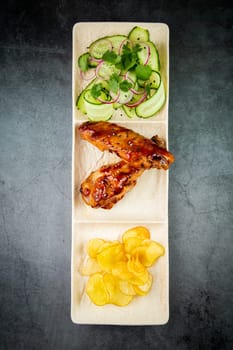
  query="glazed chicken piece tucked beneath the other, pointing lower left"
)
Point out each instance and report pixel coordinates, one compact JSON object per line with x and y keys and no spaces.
{"x":106,"y":186}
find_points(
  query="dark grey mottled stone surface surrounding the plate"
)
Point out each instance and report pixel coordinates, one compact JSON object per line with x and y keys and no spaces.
{"x":35,"y":175}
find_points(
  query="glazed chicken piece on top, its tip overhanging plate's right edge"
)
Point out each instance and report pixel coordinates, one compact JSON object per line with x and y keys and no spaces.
{"x":130,"y":146}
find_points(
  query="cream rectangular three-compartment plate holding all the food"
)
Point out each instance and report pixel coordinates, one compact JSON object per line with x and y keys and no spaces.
{"x":146,"y":204}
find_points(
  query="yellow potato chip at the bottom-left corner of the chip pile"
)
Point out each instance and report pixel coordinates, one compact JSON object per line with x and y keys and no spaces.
{"x":96,"y":290}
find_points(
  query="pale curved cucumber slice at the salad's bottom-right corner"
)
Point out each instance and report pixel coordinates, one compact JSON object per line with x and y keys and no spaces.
{"x":153,"y":104}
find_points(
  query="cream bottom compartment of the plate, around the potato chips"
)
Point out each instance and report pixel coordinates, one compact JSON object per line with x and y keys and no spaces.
{"x":152,"y":309}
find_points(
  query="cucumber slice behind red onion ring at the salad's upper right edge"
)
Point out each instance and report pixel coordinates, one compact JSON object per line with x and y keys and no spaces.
{"x":153,"y":61}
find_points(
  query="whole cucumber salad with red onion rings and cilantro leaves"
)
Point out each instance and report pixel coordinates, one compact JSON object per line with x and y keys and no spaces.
{"x":123,"y":72}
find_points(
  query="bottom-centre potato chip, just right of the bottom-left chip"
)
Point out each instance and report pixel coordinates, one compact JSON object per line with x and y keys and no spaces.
{"x":116,"y":296}
